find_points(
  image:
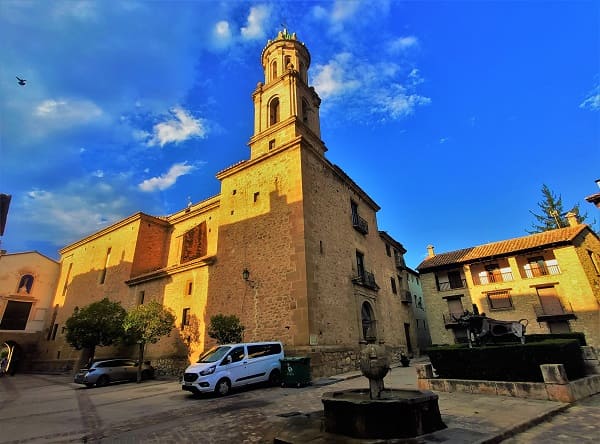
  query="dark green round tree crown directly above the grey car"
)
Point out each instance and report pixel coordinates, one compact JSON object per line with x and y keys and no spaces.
{"x":97,"y":324}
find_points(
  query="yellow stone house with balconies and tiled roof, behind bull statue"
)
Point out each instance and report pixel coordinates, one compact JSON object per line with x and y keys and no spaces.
{"x":552,"y":279}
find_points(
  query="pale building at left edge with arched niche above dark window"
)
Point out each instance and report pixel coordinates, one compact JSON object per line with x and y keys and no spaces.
{"x":27,"y":286}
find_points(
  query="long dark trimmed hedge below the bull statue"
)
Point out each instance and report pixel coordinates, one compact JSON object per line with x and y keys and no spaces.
{"x":513,"y":362}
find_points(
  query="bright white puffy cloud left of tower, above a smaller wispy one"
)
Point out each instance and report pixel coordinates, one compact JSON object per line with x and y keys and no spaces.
{"x":177,"y":130}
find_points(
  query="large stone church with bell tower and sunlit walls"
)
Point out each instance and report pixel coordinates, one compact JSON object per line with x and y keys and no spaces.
{"x":291,"y":246}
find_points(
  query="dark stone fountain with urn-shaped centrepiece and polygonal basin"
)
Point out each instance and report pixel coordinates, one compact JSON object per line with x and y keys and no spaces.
{"x":379,"y":412}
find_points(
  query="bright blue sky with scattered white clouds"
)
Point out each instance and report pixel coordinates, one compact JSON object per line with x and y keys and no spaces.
{"x":449,"y":114}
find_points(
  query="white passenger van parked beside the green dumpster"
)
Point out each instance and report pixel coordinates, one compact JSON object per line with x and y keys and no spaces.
{"x":233,"y":365}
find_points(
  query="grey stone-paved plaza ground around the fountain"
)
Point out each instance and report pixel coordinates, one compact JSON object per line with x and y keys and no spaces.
{"x":51,"y":409}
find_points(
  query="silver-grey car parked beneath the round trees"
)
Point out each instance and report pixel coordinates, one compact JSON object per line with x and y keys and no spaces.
{"x":103,"y":372}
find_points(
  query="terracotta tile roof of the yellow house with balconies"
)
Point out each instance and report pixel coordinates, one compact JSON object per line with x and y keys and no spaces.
{"x":509,"y":246}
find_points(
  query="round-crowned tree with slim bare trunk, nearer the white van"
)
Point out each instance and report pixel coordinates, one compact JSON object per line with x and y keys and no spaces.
{"x":146,"y":324}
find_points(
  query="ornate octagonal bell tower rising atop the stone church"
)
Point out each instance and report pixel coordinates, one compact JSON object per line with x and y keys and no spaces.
{"x":286,"y":109}
